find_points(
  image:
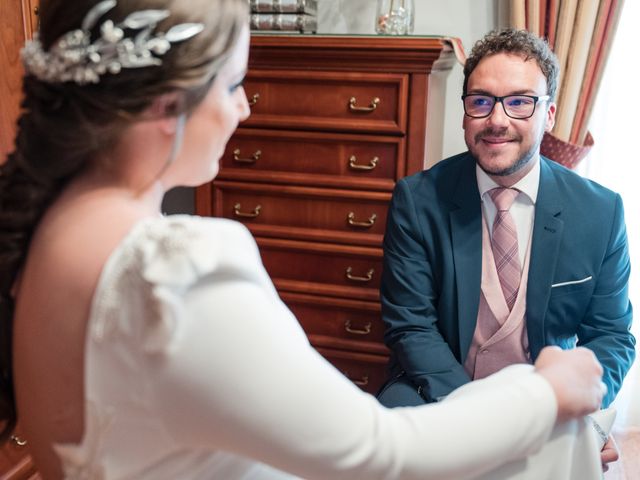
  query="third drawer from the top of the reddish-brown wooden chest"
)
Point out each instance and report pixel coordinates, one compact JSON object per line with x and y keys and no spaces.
{"x":341,"y":216}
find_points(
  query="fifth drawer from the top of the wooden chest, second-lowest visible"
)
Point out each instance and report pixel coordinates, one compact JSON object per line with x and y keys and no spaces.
{"x":339,"y":323}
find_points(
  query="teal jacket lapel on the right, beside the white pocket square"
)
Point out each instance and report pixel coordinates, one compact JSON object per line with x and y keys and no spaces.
{"x":545,"y":244}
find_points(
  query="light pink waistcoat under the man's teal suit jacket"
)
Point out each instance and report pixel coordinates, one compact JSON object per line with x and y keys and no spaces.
{"x":500,"y":337}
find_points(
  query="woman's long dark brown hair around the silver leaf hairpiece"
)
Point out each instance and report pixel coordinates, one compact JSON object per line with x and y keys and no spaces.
{"x":63,"y":126}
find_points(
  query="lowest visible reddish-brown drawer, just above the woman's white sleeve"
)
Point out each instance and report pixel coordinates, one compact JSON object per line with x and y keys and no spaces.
{"x":365,"y":370}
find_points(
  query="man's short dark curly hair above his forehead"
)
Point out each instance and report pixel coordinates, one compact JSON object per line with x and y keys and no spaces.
{"x":517,"y":42}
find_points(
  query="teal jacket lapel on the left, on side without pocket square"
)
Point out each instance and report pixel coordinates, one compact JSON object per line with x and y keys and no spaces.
{"x":466,"y":238}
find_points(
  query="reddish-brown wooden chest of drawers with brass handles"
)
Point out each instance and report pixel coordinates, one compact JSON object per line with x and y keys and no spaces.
{"x":335,"y":122}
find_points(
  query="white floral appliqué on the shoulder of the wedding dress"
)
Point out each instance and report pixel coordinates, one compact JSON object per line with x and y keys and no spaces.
{"x":156,"y":264}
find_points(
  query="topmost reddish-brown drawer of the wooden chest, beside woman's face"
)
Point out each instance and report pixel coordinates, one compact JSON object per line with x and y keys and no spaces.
{"x":333,"y":101}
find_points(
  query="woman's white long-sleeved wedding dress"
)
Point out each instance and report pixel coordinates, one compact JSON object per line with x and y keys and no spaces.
{"x":195,"y":369}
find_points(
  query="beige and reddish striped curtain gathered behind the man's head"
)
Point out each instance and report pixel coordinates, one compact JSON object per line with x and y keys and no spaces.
{"x":580,"y":32}
